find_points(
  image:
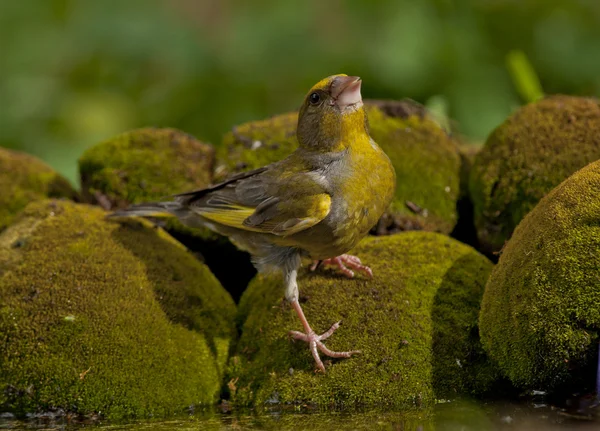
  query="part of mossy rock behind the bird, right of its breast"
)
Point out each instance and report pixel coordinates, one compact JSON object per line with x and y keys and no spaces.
{"x":427,"y":164}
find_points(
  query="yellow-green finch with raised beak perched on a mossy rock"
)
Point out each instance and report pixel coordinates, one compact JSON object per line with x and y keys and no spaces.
{"x":317,"y":203}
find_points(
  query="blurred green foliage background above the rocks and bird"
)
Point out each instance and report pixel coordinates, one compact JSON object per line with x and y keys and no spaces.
{"x":75,"y":72}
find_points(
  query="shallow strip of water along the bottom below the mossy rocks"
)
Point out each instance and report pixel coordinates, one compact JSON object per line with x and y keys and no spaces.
{"x":532,"y":415}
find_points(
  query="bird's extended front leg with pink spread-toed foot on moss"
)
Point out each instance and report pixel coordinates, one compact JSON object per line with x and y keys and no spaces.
{"x":315,"y":342}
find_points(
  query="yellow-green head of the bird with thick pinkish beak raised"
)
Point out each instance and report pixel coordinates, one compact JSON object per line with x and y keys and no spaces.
{"x":332,"y":114}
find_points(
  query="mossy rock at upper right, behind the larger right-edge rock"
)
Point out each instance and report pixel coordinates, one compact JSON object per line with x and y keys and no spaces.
{"x":532,"y":152}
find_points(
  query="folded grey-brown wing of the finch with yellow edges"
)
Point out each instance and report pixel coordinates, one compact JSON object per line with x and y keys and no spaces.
{"x":261,"y":202}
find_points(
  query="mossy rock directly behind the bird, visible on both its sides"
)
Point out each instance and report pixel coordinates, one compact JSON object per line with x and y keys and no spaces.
{"x":426,"y":159}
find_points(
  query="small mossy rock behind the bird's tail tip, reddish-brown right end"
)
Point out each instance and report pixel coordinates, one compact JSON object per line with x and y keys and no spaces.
{"x":144,"y":165}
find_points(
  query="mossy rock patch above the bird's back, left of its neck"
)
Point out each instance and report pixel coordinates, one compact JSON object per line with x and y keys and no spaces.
{"x":256,"y":144}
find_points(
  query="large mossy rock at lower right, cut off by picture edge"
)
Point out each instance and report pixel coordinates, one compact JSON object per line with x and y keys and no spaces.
{"x":540,"y":316}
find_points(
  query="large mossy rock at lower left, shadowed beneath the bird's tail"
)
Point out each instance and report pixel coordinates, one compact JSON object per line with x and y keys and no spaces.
{"x":101,"y":317}
